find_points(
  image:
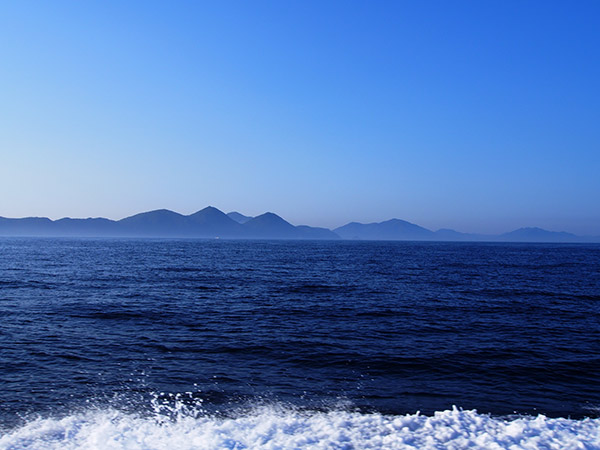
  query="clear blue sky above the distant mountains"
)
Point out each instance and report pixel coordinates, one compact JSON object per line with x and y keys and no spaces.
{"x":481,"y":116}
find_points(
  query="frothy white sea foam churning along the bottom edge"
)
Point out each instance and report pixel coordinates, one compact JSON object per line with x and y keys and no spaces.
{"x":273,"y":428}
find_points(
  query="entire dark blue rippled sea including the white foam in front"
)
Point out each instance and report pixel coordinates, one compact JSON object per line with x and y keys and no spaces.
{"x":281,"y":344}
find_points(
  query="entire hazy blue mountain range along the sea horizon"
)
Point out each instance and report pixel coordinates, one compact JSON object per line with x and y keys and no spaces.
{"x":213,"y":223}
